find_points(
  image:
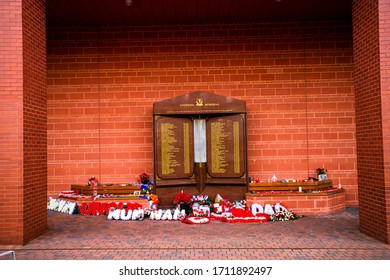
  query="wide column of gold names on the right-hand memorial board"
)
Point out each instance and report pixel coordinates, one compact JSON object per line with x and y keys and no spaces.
{"x":218,"y":148}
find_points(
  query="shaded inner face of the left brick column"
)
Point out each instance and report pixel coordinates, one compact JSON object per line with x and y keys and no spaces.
{"x":34,"y":119}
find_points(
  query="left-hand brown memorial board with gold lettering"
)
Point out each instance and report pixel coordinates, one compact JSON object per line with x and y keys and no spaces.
{"x":174,"y":144}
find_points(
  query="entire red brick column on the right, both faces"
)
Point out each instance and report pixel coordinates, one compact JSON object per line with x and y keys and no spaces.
{"x":371,"y":25}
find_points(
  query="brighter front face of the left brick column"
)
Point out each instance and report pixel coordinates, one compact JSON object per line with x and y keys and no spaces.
{"x":11,"y":122}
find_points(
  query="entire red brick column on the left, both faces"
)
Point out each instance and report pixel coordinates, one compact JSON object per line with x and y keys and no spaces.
{"x":23,"y":144}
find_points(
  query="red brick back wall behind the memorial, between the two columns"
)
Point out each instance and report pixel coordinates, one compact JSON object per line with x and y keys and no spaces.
{"x":296,"y":79}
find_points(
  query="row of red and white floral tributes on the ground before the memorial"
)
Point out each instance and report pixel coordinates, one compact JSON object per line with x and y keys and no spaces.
{"x":191,"y":209}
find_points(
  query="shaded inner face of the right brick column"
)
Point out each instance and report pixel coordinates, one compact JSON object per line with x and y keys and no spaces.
{"x":369,"y":117}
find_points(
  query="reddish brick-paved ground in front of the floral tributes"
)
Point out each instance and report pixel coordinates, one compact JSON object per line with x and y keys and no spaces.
{"x":330,"y":237}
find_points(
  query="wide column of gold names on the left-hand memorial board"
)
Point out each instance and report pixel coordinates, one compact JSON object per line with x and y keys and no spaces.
{"x":168,"y":148}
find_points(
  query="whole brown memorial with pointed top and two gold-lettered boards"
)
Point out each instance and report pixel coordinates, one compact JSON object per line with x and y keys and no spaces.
{"x":200,"y":146}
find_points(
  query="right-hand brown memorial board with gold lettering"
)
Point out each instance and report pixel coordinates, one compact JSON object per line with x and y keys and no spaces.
{"x":226,"y":146}
